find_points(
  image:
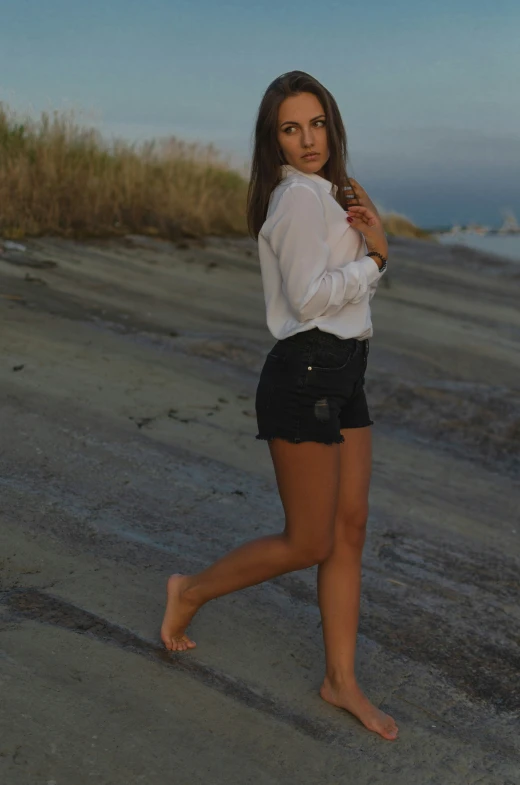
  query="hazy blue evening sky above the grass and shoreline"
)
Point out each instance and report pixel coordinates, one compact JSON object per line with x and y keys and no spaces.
{"x":428,"y":92}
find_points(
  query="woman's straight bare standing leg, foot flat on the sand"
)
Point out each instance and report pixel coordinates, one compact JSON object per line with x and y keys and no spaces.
{"x":339,"y":585}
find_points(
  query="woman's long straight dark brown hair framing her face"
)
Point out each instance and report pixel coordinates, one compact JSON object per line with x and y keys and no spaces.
{"x":268,"y":156}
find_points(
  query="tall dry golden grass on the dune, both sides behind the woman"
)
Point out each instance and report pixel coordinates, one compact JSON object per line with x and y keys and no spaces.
{"x":60,"y":178}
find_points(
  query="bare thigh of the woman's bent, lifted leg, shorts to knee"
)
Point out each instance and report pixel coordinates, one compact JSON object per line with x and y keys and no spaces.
{"x":308,"y":478}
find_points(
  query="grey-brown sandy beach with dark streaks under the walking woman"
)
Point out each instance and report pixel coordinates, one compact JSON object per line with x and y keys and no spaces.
{"x":128,"y":377}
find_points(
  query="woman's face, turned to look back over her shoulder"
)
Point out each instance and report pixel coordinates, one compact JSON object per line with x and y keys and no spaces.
{"x":302,"y":129}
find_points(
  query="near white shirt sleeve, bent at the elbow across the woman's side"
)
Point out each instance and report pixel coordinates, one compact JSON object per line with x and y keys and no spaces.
{"x":298,"y":238}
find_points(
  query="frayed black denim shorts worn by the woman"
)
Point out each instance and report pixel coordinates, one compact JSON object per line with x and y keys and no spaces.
{"x":311,"y":386}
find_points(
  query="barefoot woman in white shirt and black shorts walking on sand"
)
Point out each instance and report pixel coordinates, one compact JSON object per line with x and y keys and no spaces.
{"x":320,"y":268}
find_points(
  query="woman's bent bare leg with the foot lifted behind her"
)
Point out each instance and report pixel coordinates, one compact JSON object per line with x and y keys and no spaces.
{"x":307,"y":475}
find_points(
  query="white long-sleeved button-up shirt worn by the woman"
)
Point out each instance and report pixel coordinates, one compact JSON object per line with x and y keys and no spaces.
{"x":314,"y":269}
